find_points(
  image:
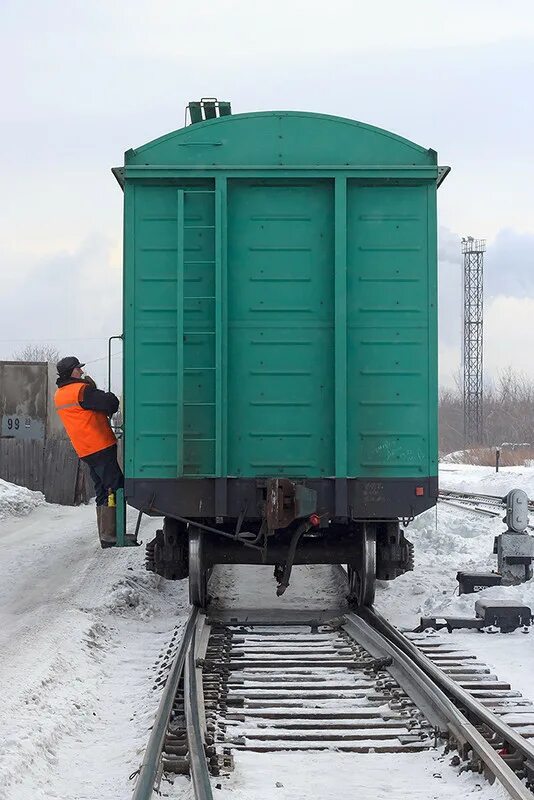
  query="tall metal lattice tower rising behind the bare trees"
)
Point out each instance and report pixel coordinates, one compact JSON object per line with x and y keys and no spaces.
{"x":473,"y":252}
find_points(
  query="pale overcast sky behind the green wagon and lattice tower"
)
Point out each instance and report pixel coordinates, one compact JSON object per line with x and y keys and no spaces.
{"x":85,"y":81}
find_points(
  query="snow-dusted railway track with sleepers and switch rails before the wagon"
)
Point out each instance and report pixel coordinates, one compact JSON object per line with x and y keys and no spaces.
{"x":267,"y":681}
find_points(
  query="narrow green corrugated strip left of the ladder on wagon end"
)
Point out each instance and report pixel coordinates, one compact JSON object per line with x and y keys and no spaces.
{"x":152,"y":411}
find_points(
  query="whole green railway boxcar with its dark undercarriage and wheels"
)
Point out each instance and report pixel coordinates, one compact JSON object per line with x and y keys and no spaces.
{"x":280,"y":342}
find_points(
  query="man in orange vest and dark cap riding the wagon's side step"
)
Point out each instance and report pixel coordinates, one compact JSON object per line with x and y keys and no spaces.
{"x":85,"y":412}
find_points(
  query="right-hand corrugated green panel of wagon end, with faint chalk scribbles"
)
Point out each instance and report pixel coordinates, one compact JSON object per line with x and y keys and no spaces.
{"x":388,"y":318}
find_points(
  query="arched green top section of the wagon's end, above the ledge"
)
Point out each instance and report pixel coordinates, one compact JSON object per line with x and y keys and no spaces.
{"x":281,"y":137}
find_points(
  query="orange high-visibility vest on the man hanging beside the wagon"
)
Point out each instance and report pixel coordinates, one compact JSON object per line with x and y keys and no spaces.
{"x":89,"y":431}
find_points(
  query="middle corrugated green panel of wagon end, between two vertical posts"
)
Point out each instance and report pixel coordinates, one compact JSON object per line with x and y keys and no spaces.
{"x":280,"y":328}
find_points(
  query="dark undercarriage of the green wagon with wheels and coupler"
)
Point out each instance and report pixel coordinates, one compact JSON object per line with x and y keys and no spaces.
{"x":290,"y":531}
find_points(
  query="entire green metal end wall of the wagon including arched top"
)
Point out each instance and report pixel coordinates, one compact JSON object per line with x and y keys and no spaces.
{"x":281,"y":326}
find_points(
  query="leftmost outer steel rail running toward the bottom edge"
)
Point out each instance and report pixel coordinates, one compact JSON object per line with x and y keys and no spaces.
{"x":150,"y":766}
